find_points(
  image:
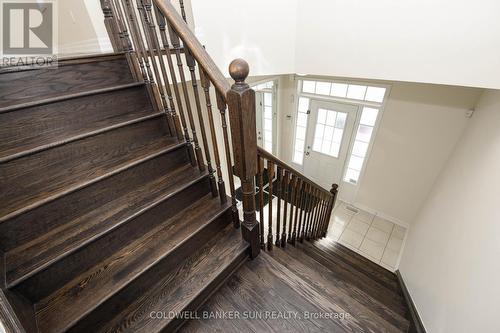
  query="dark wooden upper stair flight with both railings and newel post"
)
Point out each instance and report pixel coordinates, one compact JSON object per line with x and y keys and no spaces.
{"x":114,"y":173}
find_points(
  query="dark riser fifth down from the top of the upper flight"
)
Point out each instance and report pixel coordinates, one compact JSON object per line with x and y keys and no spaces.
{"x":47,"y":281}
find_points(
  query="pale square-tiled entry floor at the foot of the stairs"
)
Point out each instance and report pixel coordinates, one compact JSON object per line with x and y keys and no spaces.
{"x":371,"y":236}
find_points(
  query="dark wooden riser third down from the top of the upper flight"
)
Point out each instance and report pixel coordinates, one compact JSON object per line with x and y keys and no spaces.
{"x":33,"y":178}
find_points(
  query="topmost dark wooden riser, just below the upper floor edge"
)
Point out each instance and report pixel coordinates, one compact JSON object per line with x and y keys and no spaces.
{"x":70,"y":77}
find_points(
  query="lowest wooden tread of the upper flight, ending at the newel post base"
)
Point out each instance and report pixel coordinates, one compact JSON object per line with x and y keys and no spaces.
{"x":175,"y":292}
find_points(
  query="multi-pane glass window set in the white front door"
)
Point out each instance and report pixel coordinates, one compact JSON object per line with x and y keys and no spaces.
{"x":329,"y":132}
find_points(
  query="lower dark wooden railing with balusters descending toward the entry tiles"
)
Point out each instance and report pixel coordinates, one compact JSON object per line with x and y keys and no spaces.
{"x":303,"y":208}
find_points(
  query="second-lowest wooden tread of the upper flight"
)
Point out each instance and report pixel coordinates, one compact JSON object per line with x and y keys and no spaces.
{"x":84,"y":293}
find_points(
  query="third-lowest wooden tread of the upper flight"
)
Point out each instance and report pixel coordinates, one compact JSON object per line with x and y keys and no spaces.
{"x":35,"y":255}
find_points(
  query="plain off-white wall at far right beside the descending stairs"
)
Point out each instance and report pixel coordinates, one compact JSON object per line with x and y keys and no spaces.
{"x":451,"y":259}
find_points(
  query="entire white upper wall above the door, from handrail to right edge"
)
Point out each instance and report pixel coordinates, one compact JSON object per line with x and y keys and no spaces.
{"x":451,"y":42}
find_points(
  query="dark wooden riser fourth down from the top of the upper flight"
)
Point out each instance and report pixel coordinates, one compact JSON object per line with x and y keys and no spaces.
{"x":35,"y":223}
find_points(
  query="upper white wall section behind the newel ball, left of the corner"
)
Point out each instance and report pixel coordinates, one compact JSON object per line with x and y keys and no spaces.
{"x":262,"y":32}
